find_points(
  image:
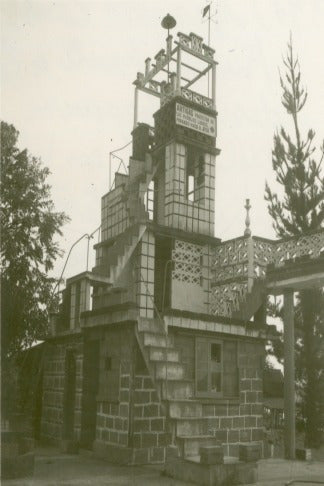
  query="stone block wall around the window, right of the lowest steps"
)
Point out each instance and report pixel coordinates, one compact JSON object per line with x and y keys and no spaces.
{"x":239,"y":418}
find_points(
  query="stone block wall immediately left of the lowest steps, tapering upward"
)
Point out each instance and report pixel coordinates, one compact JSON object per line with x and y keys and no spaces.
{"x":134,"y":422}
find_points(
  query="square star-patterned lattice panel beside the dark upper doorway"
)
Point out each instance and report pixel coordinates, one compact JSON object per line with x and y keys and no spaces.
{"x":187,"y":262}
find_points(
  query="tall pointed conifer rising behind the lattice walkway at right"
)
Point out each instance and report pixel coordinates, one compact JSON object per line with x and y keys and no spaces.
{"x":297,"y":210}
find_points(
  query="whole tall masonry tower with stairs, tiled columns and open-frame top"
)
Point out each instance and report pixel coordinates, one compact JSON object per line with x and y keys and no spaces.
{"x":153,"y":351}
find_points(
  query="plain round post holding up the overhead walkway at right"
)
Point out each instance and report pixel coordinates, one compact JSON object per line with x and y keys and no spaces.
{"x":289,"y":374}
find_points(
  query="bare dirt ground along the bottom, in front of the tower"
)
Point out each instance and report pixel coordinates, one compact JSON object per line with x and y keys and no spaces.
{"x":53,"y":468}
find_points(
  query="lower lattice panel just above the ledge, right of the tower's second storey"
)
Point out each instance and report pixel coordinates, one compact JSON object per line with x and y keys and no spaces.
{"x":225,"y":299}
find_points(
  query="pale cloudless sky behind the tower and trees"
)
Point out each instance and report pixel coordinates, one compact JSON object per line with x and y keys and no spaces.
{"x":66,"y":84}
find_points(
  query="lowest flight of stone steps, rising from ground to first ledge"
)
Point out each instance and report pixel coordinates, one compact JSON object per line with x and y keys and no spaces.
{"x":186,"y":423}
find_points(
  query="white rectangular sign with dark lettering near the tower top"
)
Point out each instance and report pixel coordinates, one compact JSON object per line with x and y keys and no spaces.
{"x":187,"y":117}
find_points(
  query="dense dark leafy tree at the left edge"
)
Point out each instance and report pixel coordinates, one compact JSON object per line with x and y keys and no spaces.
{"x":28,"y":248}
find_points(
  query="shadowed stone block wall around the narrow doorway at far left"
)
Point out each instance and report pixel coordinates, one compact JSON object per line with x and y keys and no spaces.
{"x":54,"y":389}
